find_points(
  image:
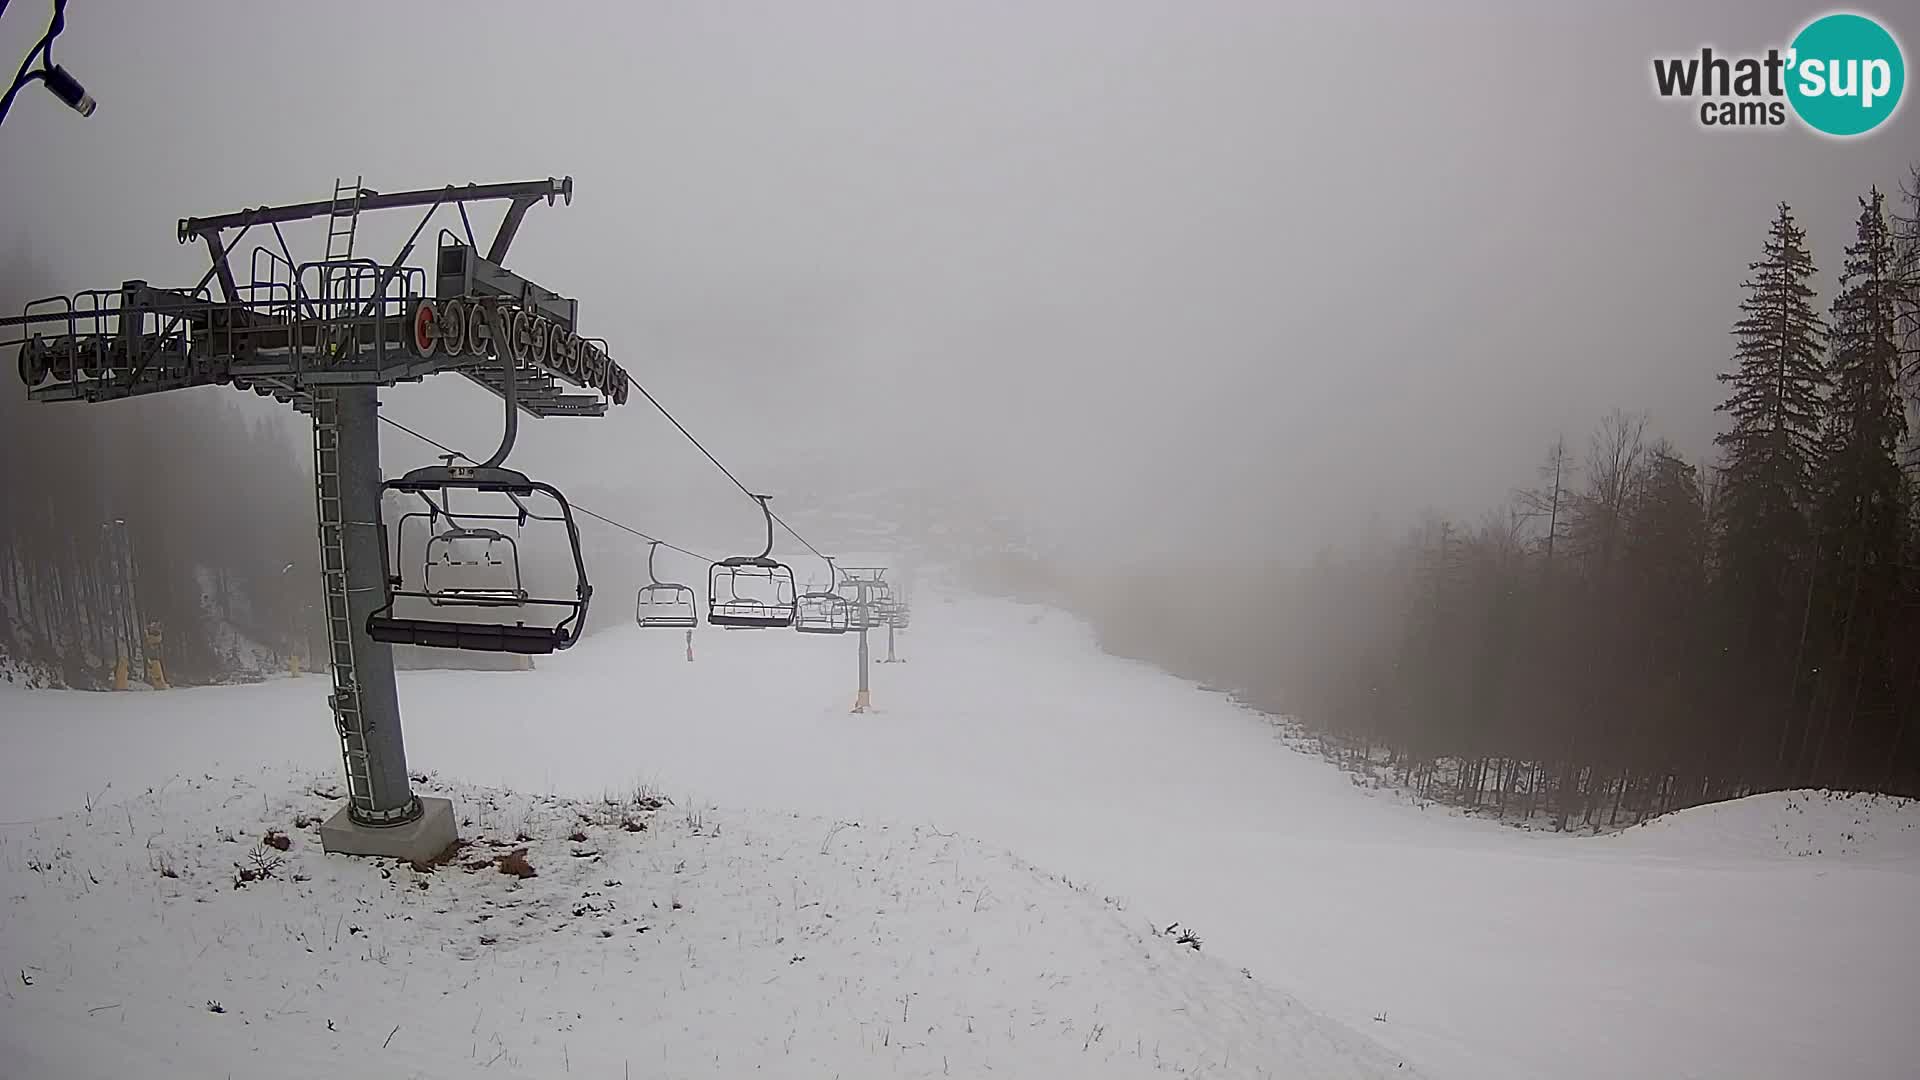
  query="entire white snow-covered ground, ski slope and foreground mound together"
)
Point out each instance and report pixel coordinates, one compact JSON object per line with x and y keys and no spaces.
{"x":1769,"y":939}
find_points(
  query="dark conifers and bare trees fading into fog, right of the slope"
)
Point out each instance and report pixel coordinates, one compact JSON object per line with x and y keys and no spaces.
{"x":1637,"y":633}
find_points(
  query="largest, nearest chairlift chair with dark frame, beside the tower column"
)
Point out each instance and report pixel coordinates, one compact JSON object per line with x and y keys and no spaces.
{"x":448,"y":583}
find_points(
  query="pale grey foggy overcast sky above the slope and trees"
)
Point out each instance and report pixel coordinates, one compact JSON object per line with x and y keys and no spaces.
{"x":1149,"y":274}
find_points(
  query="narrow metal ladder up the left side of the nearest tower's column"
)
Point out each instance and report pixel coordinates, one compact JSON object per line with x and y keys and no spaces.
{"x":345,"y":700}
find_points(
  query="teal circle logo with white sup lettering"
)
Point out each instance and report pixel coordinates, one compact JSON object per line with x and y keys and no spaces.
{"x":1846,"y":74}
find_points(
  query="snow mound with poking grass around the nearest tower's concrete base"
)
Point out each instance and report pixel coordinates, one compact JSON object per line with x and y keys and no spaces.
{"x":679,"y":941}
